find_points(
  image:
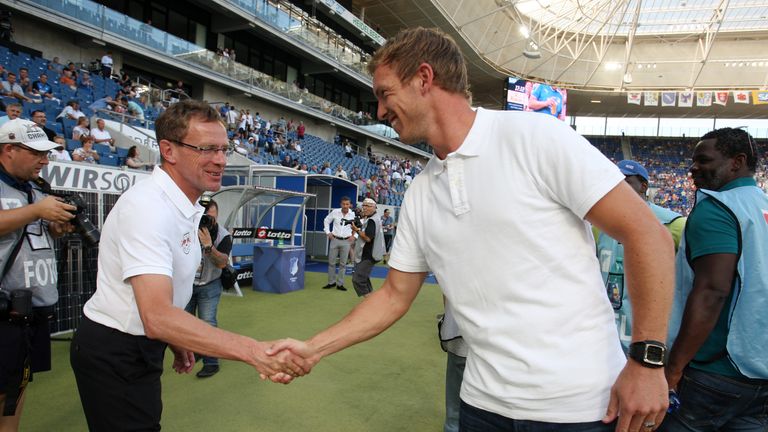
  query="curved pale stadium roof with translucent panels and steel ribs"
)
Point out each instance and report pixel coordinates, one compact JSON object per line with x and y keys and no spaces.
{"x":601,"y":48}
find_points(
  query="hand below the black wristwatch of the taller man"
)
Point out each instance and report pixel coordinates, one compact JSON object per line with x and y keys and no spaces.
{"x":639,"y":398}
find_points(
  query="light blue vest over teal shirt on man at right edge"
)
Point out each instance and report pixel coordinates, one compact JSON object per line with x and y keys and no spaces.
{"x":747,"y":345}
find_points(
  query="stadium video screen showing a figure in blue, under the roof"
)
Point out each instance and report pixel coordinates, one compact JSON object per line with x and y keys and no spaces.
{"x":523,"y":95}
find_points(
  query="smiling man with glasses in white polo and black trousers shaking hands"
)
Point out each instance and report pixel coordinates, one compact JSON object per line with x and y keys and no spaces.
{"x":148,"y":257}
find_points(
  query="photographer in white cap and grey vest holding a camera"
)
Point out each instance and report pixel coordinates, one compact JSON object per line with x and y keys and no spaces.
{"x":28,"y":222}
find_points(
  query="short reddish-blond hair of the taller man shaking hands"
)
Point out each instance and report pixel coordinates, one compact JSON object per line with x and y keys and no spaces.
{"x":411,"y":47}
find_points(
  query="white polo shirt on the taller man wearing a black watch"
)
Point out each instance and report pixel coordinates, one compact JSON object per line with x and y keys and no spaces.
{"x":500,"y":223}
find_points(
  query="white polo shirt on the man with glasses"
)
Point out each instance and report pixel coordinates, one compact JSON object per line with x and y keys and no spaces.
{"x":152,"y":229}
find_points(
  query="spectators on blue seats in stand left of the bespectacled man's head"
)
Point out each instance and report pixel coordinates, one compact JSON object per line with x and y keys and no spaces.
{"x":60,"y":98}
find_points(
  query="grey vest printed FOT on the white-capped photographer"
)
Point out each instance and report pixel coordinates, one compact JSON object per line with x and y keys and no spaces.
{"x":35,"y":265}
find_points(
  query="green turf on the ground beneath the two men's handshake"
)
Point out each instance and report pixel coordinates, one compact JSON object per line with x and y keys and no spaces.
{"x":394,"y":382}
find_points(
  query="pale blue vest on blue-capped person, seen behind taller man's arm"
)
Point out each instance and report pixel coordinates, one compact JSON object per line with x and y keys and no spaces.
{"x":610,"y":253}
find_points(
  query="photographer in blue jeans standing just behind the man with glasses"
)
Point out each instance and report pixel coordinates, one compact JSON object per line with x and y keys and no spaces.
{"x":216,"y":243}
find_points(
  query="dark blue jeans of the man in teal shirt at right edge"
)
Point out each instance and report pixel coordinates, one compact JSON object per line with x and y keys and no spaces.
{"x":712,"y":402}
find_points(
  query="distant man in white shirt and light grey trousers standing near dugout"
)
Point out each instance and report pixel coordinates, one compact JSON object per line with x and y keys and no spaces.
{"x":341,"y":239}
